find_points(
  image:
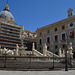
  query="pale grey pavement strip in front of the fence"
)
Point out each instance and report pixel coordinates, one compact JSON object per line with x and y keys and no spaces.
{"x":71,"y":72}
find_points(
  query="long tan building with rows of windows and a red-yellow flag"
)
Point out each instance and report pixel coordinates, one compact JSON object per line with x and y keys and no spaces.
{"x":57,"y":34}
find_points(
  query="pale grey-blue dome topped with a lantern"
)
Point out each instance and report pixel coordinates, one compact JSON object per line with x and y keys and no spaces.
{"x":6,"y":13}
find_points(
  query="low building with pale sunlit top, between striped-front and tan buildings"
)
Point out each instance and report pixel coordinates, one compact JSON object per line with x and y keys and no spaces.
{"x":29,"y":38}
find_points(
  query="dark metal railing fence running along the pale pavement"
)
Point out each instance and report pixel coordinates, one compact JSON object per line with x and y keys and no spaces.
{"x":21,"y":62}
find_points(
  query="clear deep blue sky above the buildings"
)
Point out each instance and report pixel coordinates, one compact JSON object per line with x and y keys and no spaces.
{"x":38,"y":13}
